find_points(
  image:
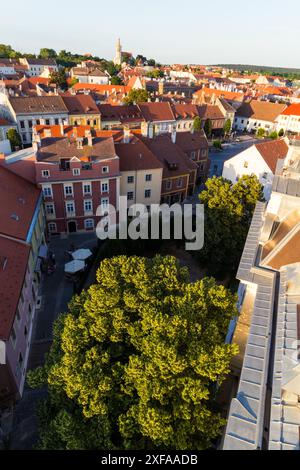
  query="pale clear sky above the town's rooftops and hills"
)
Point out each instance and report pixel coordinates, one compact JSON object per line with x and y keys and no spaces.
{"x":257,"y":32}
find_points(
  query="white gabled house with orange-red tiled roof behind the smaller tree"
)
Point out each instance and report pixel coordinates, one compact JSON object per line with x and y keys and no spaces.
{"x":261,"y":160}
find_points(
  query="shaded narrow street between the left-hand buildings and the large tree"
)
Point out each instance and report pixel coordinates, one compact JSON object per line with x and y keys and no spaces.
{"x":55,"y":293}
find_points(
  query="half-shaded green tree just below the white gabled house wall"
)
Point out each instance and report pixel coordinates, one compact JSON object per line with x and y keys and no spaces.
{"x":228,"y":212}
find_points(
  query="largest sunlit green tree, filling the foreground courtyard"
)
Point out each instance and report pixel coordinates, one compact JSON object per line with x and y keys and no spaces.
{"x":135,"y":361}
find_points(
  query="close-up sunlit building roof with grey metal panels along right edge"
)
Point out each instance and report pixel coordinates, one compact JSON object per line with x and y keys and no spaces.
{"x":265,"y":412}
